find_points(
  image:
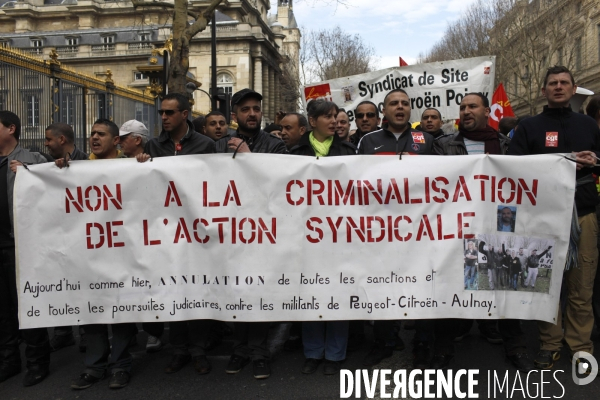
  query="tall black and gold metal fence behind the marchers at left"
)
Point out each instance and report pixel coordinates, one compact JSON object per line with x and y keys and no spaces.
{"x":43,"y":92}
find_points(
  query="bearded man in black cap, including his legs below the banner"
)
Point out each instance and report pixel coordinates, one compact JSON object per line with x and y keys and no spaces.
{"x":250,"y":337}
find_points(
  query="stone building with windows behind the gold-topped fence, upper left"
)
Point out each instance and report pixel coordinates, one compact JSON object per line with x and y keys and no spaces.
{"x":92,"y":36}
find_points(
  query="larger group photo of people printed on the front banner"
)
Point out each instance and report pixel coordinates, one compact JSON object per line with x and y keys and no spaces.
{"x":508,"y":262}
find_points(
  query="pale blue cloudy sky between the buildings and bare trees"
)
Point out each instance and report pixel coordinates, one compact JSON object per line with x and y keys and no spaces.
{"x":393,"y":27}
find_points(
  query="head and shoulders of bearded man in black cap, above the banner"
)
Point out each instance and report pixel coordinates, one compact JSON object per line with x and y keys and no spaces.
{"x":249,"y":138}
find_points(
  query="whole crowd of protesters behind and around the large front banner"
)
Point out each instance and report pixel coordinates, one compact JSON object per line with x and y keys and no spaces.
{"x":323,"y":132}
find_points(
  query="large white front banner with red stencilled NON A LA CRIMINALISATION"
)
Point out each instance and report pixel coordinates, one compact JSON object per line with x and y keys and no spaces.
{"x":280,"y":237}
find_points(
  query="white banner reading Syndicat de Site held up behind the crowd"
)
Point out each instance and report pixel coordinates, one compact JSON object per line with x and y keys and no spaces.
{"x":440,"y":85}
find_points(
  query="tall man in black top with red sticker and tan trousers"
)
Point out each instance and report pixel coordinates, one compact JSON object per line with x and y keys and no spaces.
{"x":559,"y":130}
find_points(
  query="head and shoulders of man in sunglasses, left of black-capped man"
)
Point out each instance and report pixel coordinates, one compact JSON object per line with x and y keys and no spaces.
{"x":178,"y":136}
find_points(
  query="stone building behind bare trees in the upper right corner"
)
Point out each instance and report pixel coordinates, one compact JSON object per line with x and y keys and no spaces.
{"x":538,"y":34}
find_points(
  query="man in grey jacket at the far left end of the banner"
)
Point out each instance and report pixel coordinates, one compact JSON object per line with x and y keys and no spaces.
{"x":37,"y":351}
